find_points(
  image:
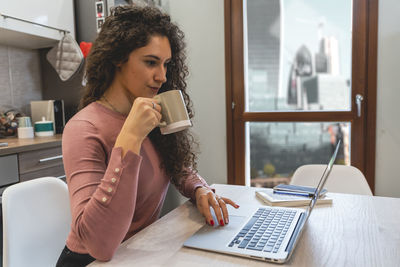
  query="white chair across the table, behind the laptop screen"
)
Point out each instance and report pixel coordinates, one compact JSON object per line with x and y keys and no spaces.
{"x":342,"y":179}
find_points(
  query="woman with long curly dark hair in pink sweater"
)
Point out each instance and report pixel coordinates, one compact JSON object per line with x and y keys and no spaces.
{"x":117,"y":163}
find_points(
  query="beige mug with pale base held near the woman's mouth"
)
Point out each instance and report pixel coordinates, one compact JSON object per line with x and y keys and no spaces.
{"x":173,"y":110}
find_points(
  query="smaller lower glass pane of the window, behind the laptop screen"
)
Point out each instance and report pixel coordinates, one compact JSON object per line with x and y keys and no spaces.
{"x":277,"y":149}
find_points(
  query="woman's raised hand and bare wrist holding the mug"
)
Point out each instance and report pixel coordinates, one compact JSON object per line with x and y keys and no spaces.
{"x":143,"y":117}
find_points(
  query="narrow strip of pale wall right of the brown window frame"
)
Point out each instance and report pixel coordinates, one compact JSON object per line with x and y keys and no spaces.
{"x":387,"y":175}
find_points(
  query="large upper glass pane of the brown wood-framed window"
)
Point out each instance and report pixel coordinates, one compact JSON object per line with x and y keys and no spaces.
{"x":297,"y":55}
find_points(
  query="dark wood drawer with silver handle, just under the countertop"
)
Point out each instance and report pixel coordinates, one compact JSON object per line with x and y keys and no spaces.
{"x":39,"y":159}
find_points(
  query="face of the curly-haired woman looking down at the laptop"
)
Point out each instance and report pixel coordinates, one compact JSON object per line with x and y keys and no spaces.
{"x":145,"y":71}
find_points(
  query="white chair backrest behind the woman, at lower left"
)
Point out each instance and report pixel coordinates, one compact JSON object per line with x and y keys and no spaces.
{"x":36,"y":222}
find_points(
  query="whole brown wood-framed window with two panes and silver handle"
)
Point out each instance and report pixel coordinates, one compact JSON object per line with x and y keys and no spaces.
{"x":296,"y":83}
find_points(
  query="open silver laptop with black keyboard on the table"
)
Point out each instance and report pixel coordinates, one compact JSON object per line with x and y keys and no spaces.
{"x":260,"y":232}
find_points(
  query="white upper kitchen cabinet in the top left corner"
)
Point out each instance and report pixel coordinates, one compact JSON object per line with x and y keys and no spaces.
{"x":56,"y":14}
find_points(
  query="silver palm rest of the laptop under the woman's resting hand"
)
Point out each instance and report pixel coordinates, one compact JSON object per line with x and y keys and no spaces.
{"x":216,"y":235}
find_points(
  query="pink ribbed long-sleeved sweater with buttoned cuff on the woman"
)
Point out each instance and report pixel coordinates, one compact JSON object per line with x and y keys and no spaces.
{"x":111,"y":197}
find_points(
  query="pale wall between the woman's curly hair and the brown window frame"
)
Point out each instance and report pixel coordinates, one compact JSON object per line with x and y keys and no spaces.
{"x":203,"y":24}
